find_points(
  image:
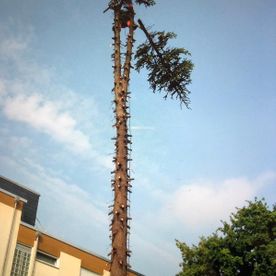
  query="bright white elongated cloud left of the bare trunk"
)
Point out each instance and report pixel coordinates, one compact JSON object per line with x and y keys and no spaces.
{"x":46,"y":117}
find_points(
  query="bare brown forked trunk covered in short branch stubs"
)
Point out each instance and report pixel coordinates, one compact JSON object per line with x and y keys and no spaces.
{"x":121,"y":182}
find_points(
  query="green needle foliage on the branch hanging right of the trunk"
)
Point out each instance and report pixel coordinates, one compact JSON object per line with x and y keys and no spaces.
{"x":169,"y":69}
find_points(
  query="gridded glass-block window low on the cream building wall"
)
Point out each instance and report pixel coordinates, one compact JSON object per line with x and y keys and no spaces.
{"x":21,"y":260}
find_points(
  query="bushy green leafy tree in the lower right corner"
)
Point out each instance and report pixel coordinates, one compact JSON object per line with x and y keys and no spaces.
{"x":245,"y":246}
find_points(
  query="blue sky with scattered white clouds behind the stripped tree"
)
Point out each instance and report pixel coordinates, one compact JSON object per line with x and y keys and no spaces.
{"x":191,"y":167}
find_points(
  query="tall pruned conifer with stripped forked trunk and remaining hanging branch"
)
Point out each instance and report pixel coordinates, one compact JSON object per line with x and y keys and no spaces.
{"x":169,"y":71}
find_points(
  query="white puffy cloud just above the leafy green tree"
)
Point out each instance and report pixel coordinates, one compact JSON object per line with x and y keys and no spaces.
{"x":201,"y":204}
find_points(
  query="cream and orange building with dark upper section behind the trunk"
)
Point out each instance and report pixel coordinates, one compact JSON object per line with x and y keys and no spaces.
{"x":25,"y":251}
